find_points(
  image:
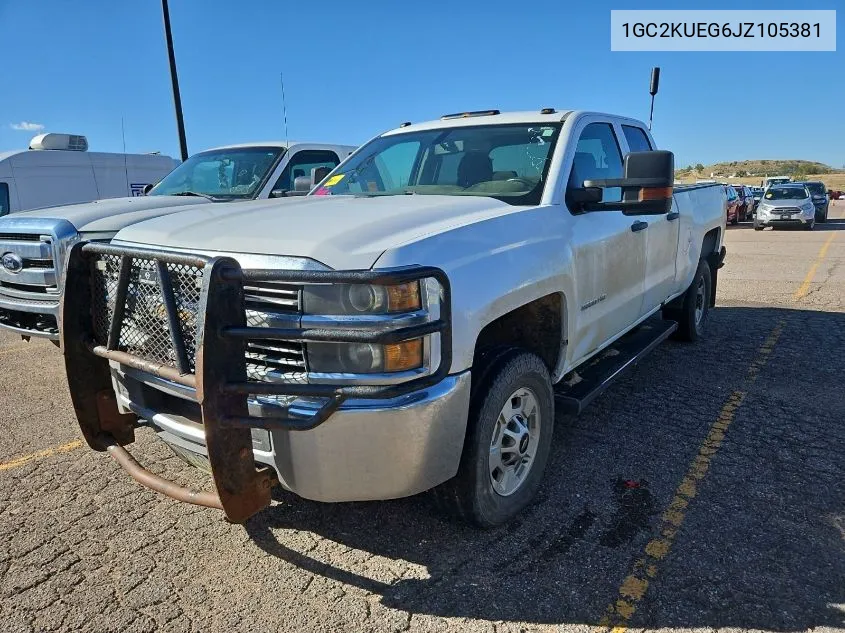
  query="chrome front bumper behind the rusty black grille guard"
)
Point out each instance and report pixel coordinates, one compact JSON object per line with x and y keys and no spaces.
{"x":366,"y":450}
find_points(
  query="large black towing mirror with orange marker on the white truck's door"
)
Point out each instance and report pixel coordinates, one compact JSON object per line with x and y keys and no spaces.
{"x":647,"y":185}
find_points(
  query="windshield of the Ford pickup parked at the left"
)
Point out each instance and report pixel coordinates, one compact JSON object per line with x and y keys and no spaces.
{"x":226,"y":174}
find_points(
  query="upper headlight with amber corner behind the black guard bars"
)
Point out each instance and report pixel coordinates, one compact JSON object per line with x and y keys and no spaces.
{"x":351,"y":299}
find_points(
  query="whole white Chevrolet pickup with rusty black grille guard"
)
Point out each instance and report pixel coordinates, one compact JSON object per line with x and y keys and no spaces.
{"x":414,"y":327}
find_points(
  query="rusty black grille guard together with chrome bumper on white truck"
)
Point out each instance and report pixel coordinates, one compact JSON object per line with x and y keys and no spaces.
{"x":313,"y":434}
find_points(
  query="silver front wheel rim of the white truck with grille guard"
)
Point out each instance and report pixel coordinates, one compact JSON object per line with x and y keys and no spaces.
{"x":513,"y":446}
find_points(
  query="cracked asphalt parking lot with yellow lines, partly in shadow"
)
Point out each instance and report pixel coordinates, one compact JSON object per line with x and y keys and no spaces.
{"x":702,"y":491}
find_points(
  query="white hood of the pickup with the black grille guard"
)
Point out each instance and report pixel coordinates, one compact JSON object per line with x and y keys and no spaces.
{"x":343,"y":232}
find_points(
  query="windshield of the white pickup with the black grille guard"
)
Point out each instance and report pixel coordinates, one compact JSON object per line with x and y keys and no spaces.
{"x":506,"y":162}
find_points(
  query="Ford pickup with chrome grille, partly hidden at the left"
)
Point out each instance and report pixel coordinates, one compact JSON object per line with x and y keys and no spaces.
{"x":33,"y":244}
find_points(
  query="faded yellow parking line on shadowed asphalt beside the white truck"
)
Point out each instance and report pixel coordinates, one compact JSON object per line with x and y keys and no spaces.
{"x":645,"y":568}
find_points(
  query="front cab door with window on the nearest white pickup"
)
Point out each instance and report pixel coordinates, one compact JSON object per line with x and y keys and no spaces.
{"x":608,"y":247}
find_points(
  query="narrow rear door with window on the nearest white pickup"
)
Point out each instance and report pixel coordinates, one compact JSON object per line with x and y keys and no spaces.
{"x":661,"y":237}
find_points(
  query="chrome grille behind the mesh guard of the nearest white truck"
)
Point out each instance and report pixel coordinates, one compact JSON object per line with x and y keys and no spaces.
{"x":145,"y":332}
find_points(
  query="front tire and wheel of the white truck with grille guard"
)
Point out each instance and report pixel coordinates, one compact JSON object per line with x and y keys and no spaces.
{"x":512,"y":378}
